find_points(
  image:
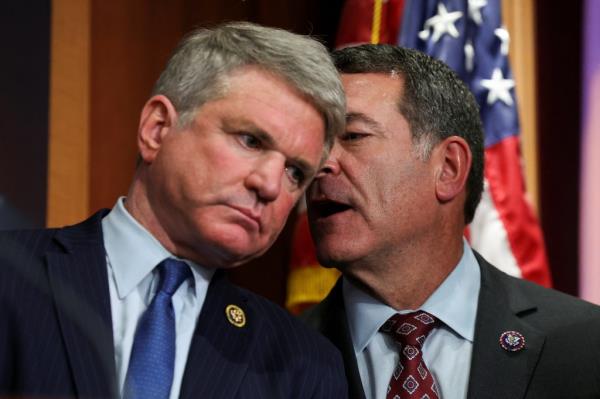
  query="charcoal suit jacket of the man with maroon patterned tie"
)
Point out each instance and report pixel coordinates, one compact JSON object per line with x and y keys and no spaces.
{"x":561,"y":358}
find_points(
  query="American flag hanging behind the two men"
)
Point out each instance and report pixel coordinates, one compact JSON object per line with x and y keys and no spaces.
{"x":470,"y":37}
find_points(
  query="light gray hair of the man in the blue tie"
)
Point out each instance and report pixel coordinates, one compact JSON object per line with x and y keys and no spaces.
{"x":198,"y":69}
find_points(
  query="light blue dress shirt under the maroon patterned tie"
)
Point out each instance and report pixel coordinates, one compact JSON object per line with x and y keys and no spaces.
{"x":447,"y":350}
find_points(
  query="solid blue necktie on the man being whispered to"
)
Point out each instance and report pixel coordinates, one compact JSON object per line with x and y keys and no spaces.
{"x":150,"y":372}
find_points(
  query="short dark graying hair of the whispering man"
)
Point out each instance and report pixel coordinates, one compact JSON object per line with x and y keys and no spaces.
{"x":435,"y":102}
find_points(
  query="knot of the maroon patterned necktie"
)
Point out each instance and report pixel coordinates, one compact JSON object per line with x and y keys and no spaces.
{"x":411,"y":328}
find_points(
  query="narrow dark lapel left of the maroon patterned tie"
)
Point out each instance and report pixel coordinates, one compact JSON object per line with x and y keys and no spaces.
{"x":335,"y":327}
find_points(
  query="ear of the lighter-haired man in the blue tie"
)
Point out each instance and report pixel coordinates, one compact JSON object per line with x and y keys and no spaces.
{"x":157,"y":119}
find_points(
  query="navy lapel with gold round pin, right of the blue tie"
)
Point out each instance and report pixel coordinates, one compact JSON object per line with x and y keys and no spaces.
{"x":220,"y":351}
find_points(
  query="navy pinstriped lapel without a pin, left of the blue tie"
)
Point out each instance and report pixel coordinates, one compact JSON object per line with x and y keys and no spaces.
{"x":79,"y":285}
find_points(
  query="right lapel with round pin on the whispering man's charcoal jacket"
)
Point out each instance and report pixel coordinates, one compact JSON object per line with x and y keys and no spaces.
{"x":495,"y":372}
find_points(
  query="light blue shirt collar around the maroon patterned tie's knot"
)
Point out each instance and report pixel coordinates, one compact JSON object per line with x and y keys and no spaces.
{"x":454,"y":302}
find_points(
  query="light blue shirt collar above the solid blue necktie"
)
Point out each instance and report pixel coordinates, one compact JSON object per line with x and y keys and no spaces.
{"x":133,"y":252}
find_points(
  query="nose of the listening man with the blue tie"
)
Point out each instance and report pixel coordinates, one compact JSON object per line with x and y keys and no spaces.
{"x":266,"y":178}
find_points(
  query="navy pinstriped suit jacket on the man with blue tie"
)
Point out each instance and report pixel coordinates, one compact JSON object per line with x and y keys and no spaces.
{"x":56,"y":333}
